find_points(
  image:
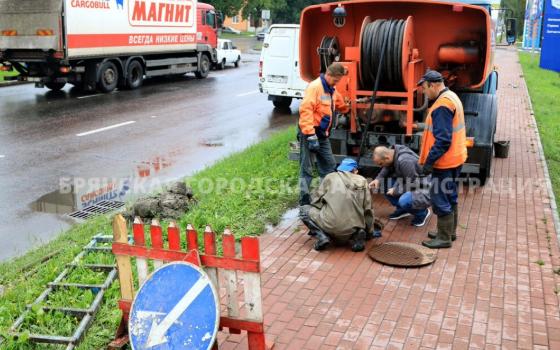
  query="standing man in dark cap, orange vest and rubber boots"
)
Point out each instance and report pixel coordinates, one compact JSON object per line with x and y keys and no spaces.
{"x":442,"y":154}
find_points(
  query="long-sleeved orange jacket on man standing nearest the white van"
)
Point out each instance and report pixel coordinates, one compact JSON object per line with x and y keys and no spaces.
{"x":316,"y":104}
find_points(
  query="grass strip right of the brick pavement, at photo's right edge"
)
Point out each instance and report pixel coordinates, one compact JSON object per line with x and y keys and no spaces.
{"x":544,"y":90}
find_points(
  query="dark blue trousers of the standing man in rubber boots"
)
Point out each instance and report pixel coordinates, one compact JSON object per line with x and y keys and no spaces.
{"x":443,"y":191}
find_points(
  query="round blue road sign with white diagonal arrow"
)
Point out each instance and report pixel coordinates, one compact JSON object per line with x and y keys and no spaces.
{"x":176,"y":308}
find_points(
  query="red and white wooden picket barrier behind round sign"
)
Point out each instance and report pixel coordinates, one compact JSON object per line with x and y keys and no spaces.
{"x":224,"y":271}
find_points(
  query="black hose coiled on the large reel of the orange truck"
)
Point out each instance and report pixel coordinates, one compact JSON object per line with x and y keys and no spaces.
{"x":372,"y":45}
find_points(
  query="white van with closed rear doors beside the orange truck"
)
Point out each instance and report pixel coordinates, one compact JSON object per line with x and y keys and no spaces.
{"x":279,"y":65}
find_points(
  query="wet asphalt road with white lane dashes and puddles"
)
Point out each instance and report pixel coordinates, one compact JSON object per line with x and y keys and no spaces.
{"x":163,"y":131}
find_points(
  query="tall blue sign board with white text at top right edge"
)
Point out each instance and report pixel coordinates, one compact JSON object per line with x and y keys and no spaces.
{"x":550,"y":53}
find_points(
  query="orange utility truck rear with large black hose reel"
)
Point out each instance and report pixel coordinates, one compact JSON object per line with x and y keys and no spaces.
{"x":386,"y":46}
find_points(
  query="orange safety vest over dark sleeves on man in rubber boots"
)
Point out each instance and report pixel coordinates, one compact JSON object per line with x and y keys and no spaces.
{"x":456,"y":155}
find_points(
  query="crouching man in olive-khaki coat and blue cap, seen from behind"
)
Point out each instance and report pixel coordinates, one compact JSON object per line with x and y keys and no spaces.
{"x":341,"y":209}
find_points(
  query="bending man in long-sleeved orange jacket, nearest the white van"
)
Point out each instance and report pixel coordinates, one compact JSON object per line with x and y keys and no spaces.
{"x":315,"y":120}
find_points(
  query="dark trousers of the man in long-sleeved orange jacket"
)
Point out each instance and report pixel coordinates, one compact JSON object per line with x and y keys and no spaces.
{"x":326,"y":164}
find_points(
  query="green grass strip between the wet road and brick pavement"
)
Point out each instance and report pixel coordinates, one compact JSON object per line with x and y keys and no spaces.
{"x":245,"y":191}
